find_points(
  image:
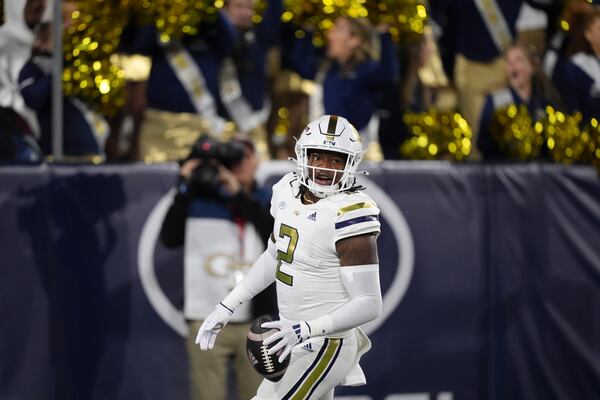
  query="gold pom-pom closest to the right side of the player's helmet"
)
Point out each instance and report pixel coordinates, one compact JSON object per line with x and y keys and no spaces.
{"x":437,"y":135}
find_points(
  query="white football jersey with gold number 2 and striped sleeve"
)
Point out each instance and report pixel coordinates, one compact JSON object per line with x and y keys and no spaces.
{"x":309,"y":284}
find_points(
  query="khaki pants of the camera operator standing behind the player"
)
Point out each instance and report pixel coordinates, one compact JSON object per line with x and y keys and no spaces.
{"x":208,"y":369}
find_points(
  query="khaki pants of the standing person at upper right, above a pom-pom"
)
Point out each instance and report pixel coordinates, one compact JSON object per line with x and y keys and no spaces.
{"x":474,"y":81}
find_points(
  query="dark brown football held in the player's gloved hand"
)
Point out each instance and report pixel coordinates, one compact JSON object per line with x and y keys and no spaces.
{"x":265,"y":364}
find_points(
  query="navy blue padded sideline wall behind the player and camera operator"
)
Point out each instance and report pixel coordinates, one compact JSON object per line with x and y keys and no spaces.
{"x":491,"y":280}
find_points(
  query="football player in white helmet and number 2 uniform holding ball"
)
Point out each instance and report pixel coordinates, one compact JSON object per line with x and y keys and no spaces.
{"x":323,"y":256}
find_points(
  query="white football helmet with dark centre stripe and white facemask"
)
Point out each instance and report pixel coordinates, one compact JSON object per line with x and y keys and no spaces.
{"x":331,"y":133}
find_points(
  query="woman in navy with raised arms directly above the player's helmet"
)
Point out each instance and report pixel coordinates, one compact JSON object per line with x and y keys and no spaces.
{"x":349,"y":80}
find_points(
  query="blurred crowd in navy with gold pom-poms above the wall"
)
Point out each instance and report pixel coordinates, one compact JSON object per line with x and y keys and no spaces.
{"x":490,"y":62}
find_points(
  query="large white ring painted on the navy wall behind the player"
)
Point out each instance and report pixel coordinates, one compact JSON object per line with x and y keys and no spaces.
{"x":173,"y":317}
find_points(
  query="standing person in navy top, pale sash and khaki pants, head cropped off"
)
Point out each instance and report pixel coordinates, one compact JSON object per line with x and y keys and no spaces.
{"x":474,"y":36}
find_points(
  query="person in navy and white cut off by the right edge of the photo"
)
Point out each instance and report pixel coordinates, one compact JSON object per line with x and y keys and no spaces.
{"x":583,"y":70}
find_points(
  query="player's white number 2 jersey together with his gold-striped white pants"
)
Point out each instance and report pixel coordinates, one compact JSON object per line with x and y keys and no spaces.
{"x":309,"y":285}
